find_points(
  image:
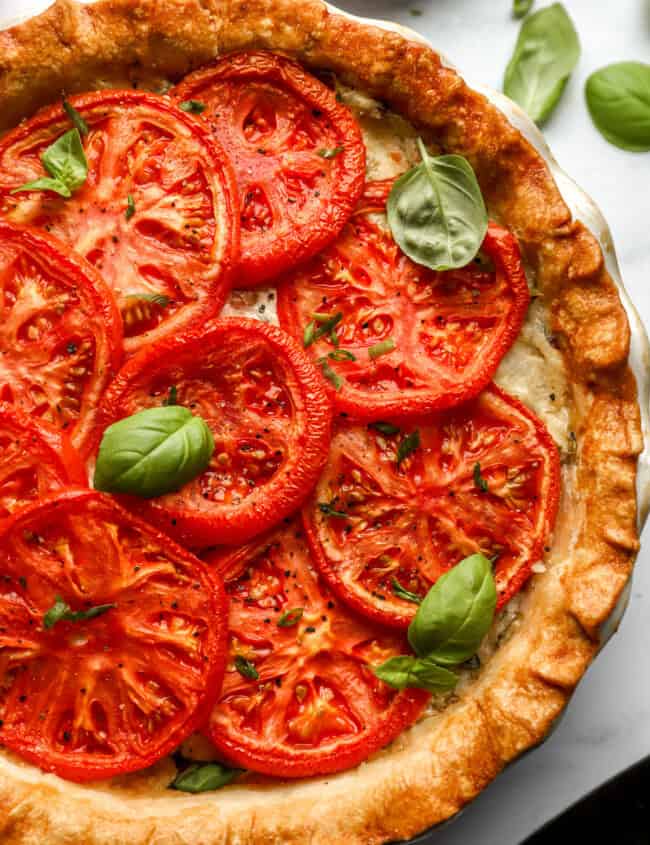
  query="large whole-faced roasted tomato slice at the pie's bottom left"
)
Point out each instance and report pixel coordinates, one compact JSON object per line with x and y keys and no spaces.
{"x":97,"y":697}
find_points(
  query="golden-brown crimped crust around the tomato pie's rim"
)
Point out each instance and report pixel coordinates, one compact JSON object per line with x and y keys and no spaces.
{"x":442,"y":763}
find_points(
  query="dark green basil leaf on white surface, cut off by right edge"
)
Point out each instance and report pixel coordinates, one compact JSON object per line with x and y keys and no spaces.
{"x":618,"y":98}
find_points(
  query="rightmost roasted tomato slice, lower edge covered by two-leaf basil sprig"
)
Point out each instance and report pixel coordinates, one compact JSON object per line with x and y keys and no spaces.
{"x":388,"y":512}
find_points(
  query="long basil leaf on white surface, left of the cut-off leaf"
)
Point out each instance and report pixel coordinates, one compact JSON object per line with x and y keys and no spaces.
{"x":545,"y":55}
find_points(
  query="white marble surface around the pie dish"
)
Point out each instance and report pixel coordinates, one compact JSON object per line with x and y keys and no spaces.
{"x":607,"y":725}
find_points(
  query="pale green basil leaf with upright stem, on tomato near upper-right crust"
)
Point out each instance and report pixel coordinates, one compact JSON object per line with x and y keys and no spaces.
{"x":436,"y":212}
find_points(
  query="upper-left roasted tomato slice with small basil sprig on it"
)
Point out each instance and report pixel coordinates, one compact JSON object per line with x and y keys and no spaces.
{"x":157,"y":214}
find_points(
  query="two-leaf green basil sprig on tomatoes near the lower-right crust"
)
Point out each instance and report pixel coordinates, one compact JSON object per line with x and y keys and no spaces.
{"x":448,"y":628}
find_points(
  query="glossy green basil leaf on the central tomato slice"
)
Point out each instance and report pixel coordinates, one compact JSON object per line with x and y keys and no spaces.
{"x":153,"y":452}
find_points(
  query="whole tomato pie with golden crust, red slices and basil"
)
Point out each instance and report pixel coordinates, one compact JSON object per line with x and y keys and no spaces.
{"x":319,"y":435}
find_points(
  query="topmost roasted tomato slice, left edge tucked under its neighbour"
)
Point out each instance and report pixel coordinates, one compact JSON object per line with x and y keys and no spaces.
{"x":297,"y":152}
